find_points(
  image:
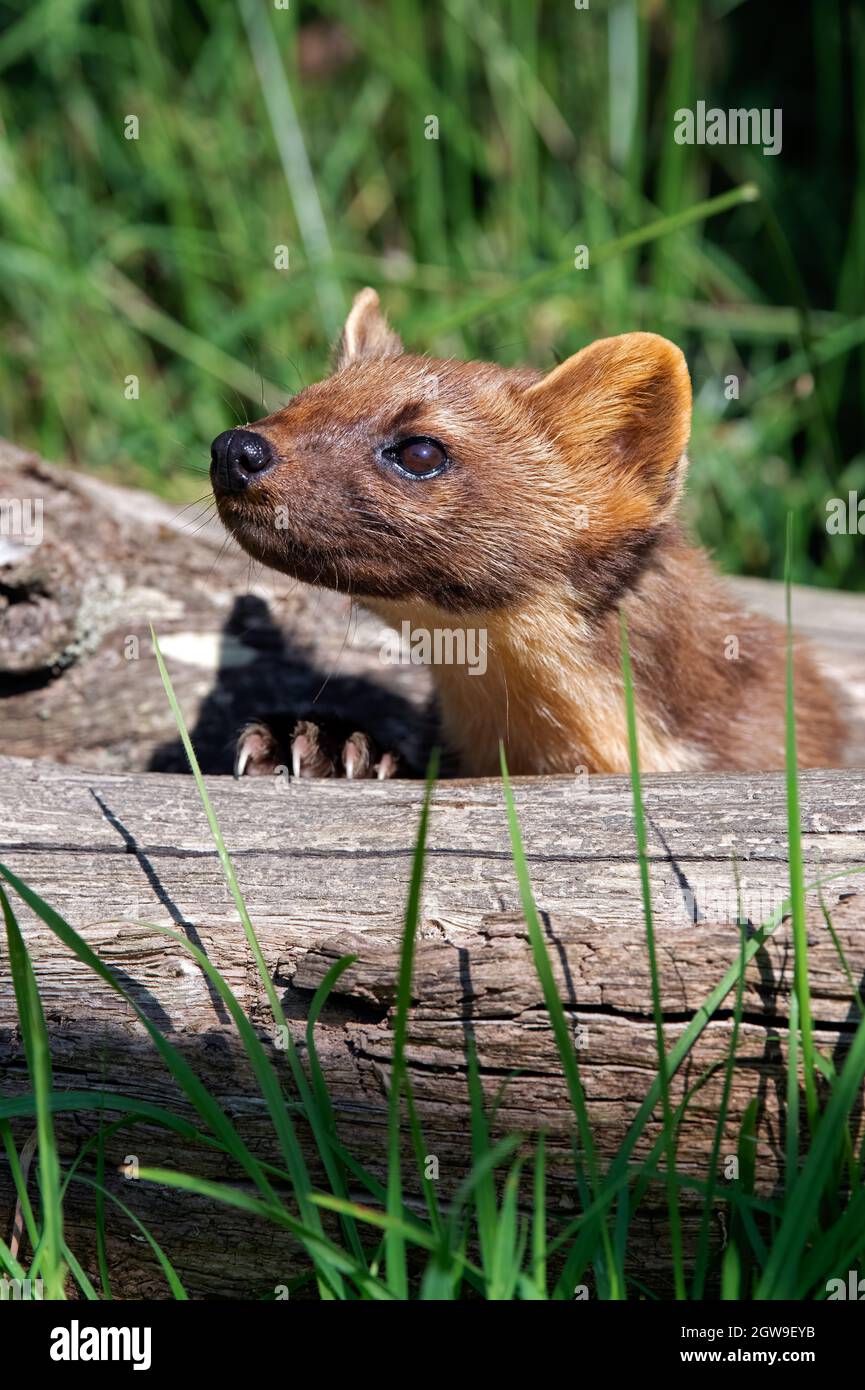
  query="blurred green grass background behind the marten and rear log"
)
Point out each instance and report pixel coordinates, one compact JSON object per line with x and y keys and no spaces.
{"x":305,"y":127}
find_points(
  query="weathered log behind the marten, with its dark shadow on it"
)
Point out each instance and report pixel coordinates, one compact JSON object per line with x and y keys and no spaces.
{"x":79,"y":685}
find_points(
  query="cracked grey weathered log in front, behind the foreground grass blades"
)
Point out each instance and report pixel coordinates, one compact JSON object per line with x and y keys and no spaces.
{"x":325,"y":868}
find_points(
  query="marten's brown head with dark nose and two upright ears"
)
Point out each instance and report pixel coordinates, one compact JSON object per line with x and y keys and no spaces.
{"x":460,"y":483}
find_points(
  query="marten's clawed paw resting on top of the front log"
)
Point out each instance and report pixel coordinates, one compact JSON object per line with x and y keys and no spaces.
{"x":309,"y":749}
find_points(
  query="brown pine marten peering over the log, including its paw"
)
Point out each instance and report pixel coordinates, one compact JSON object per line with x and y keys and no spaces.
{"x":532,"y":507}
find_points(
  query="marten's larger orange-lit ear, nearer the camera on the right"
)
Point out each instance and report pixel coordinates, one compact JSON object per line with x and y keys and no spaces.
{"x":621,"y":412}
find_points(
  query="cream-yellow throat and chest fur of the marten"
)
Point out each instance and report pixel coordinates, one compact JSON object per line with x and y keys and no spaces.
{"x":544,"y":692}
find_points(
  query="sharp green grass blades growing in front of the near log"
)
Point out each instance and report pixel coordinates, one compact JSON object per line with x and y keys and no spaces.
{"x":494,"y":1236}
